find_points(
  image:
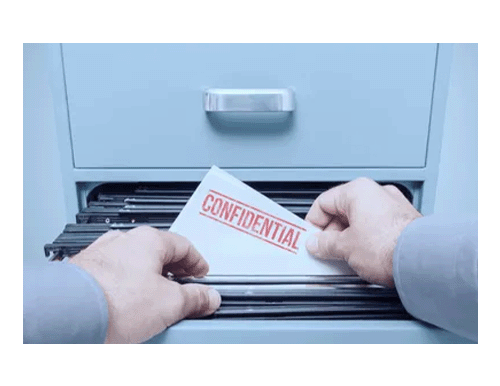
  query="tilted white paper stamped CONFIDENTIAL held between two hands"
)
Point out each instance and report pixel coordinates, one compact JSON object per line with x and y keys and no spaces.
{"x":239,"y":231}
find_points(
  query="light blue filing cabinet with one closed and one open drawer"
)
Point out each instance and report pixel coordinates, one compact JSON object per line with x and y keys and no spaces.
{"x":137,"y":113}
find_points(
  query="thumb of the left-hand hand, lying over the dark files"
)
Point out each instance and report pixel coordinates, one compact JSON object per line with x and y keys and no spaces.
{"x":192,"y":301}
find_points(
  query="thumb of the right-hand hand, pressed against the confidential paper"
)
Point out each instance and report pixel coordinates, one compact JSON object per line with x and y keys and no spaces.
{"x":328,"y":245}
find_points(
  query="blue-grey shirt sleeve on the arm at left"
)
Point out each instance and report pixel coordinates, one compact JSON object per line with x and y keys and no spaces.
{"x":62,"y":303}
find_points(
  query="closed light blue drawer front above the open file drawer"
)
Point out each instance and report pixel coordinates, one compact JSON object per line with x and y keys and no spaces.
{"x":356,"y":105}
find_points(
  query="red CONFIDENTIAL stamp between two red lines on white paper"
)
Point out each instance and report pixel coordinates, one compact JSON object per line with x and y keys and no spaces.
{"x":252,"y":221}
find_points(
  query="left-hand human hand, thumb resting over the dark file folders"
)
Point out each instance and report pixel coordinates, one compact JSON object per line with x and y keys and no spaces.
{"x":142,"y":302}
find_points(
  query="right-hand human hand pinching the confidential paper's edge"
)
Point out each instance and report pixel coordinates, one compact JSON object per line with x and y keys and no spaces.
{"x":361,"y":222}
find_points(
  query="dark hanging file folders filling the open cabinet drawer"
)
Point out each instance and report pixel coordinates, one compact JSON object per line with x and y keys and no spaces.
{"x":124,"y":206}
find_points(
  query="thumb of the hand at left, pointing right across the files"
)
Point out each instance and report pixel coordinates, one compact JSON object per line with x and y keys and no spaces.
{"x":197,"y":300}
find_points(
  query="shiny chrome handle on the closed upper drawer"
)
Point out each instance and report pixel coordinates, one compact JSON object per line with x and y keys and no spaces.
{"x":252,"y":100}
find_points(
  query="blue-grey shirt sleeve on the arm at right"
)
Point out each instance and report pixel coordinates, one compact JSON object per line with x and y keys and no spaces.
{"x":435,"y":272}
